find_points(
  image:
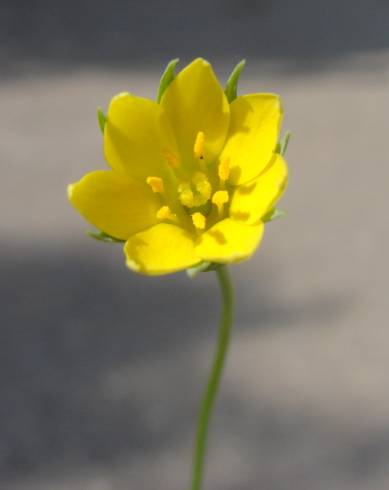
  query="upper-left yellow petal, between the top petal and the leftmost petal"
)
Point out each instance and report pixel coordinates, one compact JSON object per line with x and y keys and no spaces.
{"x":137,"y":137}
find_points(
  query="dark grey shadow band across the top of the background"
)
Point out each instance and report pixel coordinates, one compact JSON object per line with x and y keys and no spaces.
{"x":302,"y":34}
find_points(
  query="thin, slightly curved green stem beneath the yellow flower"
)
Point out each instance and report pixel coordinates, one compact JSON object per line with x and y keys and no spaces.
{"x":214,"y":378}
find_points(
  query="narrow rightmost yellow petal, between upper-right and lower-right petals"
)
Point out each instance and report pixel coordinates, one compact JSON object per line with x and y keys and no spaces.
{"x":252,"y":201}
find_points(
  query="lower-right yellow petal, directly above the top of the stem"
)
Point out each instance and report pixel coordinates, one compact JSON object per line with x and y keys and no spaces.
{"x":229,"y":241}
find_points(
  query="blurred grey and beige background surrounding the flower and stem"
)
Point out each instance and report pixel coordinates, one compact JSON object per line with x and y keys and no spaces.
{"x":101,"y":370}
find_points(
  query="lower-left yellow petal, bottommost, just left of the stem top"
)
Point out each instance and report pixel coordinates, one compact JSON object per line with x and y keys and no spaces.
{"x":162,"y":249}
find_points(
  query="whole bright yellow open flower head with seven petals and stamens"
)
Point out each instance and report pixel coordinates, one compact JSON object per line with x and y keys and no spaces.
{"x":191,"y":178}
